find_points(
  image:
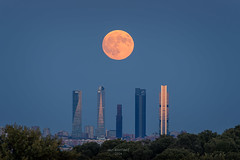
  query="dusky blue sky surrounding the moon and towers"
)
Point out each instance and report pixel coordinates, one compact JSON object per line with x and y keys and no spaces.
{"x":49,"y":48}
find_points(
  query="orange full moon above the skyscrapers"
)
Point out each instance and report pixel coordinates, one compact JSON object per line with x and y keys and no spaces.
{"x":118,"y":44}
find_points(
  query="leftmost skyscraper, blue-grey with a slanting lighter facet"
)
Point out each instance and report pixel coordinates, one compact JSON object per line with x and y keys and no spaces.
{"x":77,"y":114}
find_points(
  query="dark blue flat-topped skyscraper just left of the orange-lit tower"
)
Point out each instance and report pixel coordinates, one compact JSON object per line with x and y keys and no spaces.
{"x":140,"y":112}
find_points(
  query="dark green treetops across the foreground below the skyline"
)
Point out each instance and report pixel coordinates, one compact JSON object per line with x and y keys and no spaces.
{"x":21,"y":143}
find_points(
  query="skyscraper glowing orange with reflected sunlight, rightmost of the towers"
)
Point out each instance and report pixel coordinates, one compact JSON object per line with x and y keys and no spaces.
{"x":163,"y":111}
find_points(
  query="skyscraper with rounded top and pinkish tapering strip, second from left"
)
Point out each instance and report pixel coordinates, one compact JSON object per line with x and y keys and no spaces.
{"x":100,"y":131}
